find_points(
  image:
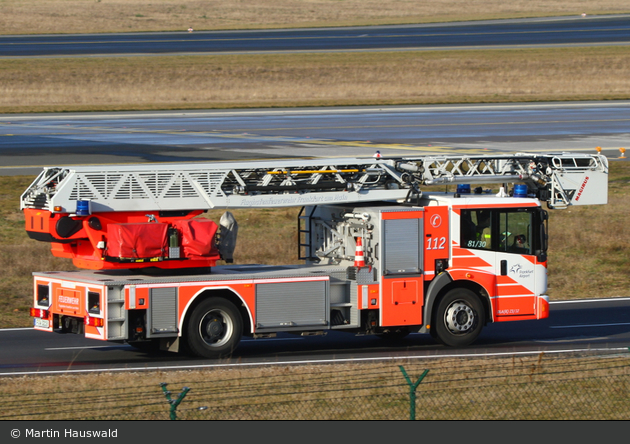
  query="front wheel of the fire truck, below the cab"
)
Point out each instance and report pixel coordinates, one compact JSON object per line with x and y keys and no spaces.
{"x":459,"y":318}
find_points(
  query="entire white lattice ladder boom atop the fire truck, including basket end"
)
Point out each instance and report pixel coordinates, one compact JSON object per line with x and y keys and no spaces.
{"x":560,"y":179}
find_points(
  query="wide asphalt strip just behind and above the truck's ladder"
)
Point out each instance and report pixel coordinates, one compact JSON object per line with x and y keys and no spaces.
{"x":29,"y":142}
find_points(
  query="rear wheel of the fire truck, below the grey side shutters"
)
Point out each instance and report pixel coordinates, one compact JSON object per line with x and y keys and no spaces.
{"x":214,"y":329}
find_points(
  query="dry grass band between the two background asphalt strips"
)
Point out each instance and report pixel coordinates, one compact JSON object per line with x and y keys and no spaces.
{"x":55,"y":85}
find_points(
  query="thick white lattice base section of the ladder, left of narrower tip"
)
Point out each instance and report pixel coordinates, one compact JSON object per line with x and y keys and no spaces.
{"x":215,"y":185}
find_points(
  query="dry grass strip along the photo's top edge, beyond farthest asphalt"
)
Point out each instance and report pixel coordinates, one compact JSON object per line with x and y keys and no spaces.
{"x":88,"y":16}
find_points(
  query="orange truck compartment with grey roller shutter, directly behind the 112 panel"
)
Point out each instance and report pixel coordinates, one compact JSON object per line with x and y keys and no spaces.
{"x":402,"y":282}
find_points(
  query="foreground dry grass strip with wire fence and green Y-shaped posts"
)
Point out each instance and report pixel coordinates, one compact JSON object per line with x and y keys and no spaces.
{"x":534,"y":388}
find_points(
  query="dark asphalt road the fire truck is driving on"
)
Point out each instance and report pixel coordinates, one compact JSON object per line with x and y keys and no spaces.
{"x":587,"y":326}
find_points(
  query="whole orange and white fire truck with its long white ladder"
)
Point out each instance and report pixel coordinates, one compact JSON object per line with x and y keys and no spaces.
{"x":379,"y":254}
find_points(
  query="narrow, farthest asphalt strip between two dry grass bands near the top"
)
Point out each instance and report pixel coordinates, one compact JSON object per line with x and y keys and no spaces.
{"x":558,"y":31}
